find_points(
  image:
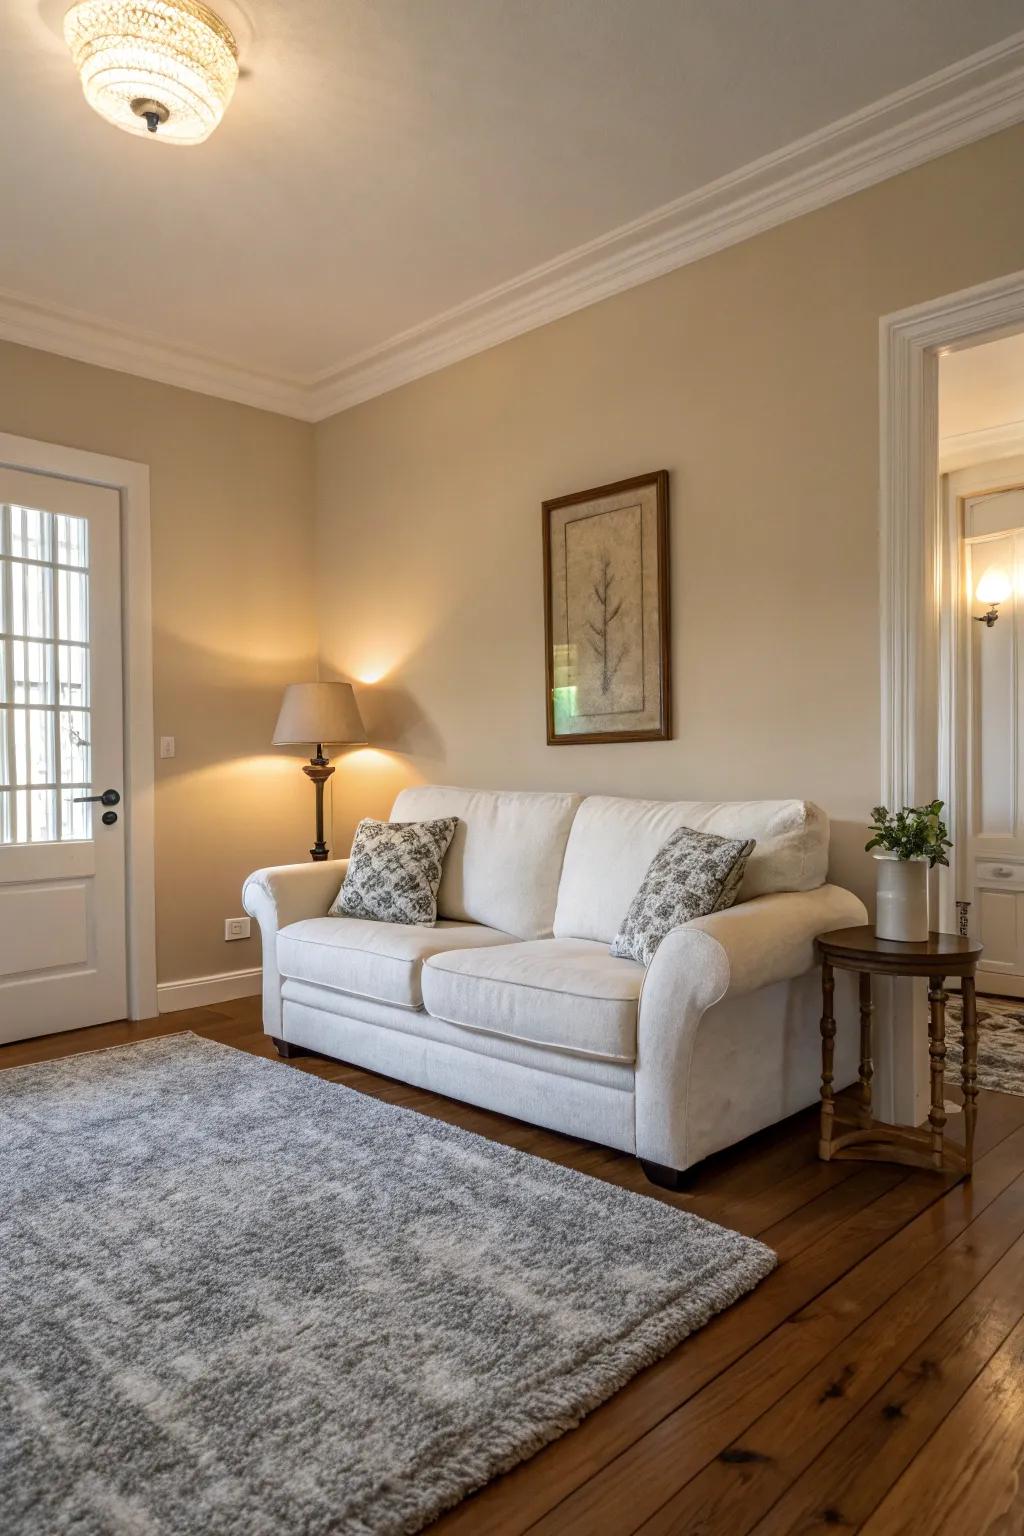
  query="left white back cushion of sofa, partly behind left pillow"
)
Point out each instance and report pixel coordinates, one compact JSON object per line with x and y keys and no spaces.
{"x":506,"y":858}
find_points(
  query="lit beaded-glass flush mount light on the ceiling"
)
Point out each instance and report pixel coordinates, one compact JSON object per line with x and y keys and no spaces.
{"x":154,"y":67}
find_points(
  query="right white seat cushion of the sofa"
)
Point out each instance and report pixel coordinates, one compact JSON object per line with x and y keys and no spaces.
{"x":566,"y":995}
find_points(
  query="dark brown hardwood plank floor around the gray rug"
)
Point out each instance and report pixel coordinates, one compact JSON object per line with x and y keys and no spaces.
{"x":876,"y":1382}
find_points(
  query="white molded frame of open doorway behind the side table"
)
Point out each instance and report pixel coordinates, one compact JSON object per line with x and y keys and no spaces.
{"x":911,"y":577}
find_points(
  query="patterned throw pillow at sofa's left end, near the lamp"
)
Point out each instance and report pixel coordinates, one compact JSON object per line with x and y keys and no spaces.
{"x":395,"y":872}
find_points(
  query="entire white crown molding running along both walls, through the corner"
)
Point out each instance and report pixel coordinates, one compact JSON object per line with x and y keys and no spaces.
{"x":945,"y":111}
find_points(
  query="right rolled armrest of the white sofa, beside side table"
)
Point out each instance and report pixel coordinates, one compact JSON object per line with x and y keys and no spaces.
{"x":748,"y":947}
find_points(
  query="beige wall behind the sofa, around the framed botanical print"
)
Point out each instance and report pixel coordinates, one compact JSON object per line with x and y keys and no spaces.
{"x":753,"y":377}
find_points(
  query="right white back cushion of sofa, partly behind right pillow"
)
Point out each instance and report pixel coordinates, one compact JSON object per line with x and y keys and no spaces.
{"x":613,"y":842}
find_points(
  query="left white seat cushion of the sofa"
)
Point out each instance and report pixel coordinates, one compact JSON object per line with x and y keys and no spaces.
{"x":369,"y":959}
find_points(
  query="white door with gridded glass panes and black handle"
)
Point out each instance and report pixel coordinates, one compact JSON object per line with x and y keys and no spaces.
{"x":62,"y":852}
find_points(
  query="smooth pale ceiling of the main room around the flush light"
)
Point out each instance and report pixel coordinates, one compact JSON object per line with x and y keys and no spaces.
{"x":388,"y":161}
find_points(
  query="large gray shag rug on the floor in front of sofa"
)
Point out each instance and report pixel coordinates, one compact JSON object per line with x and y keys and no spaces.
{"x":243,"y":1302}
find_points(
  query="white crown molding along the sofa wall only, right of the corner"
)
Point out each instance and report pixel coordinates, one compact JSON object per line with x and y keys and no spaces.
{"x":946,"y":111}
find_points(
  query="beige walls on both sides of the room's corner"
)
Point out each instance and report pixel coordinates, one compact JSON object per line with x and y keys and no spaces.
{"x":751,"y":377}
